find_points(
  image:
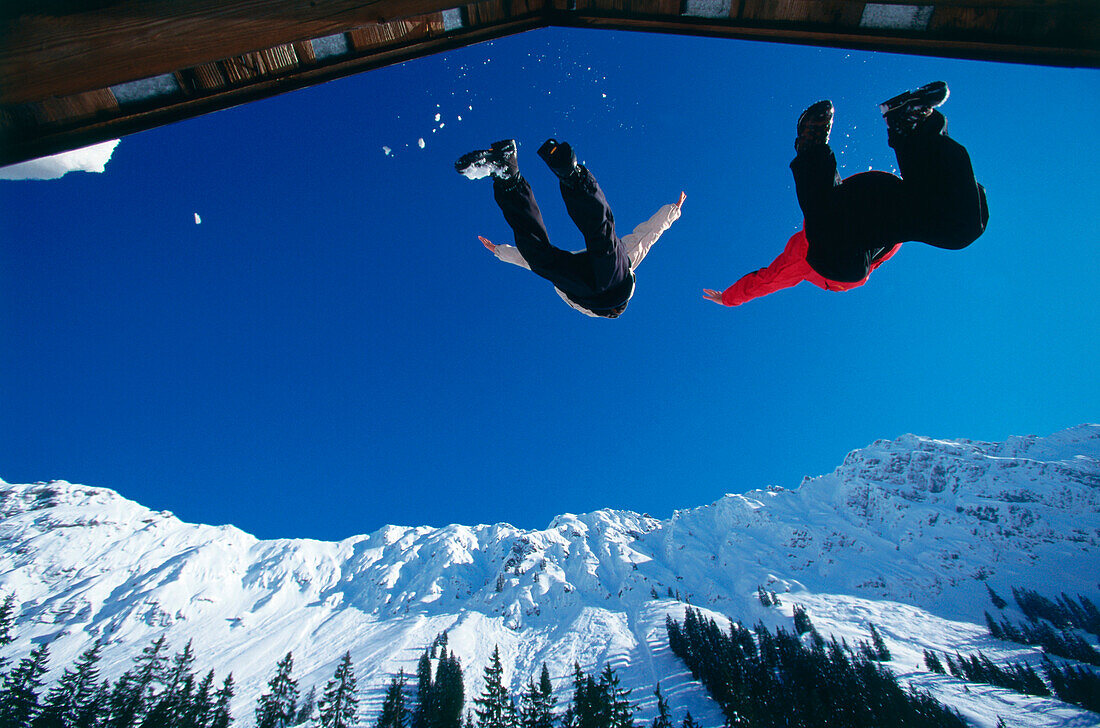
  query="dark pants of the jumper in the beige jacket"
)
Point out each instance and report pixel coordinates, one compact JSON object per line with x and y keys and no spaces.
{"x":598,"y":278}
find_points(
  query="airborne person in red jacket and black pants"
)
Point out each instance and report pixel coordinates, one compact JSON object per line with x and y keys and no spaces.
{"x":853,"y":227}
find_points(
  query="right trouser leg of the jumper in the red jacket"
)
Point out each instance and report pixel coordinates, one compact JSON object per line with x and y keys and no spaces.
{"x":947,"y":206}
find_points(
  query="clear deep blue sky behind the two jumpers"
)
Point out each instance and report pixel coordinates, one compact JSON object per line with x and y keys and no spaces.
{"x":333,"y":350}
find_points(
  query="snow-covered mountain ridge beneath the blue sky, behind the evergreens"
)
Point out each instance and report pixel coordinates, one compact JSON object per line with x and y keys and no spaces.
{"x":906,"y":535}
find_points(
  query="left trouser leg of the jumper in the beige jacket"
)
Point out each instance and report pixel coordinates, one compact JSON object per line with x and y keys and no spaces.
{"x":563,"y":269}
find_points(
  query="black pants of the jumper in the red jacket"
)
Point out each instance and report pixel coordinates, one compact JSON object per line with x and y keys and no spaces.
{"x":851,"y":224}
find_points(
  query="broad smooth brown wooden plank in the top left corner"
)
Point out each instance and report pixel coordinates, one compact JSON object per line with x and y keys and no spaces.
{"x":54,"y":48}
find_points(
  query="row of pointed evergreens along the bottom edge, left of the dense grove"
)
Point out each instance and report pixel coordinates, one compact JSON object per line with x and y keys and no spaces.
{"x":166,"y":691}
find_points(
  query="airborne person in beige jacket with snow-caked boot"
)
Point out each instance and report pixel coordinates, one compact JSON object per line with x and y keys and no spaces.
{"x":598,"y":281}
